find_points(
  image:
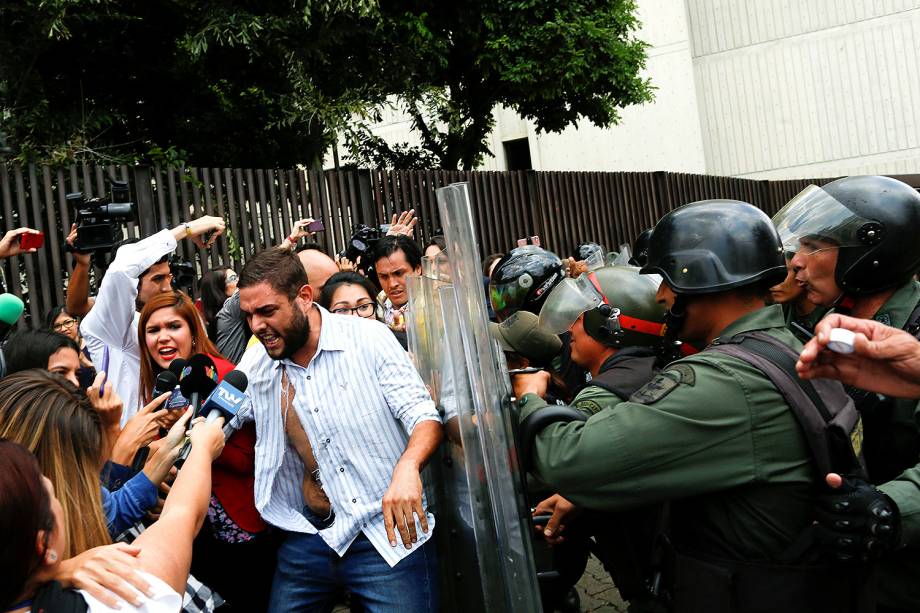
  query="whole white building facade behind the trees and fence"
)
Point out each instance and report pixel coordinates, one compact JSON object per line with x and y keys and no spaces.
{"x":772,"y":89}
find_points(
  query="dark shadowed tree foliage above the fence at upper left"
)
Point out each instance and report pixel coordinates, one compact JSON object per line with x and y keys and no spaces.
{"x":203,"y":81}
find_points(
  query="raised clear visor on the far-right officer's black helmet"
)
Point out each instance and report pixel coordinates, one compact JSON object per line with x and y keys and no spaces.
{"x":816,"y":220}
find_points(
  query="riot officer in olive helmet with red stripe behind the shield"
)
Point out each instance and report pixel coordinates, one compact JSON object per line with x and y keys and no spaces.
{"x":616,"y":328}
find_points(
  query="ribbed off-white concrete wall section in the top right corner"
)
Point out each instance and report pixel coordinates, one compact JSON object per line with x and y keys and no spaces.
{"x":807,"y":89}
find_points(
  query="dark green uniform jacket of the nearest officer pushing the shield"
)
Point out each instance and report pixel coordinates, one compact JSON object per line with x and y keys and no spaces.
{"x":710,"y":433}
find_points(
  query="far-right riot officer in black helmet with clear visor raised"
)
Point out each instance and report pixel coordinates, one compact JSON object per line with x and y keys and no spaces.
{"x":856,"y":249}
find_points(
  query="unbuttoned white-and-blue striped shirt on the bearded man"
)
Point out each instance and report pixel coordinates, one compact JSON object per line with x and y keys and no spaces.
{"x":358,"y":400}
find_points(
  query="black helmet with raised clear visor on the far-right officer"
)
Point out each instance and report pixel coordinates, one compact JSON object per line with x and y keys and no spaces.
{"x":873,"y":222}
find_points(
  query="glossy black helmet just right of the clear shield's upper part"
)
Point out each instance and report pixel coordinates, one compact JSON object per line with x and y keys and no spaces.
{"x":522,"y":280}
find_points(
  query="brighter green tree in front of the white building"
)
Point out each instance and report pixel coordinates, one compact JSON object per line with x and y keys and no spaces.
{"x":450,"y":63}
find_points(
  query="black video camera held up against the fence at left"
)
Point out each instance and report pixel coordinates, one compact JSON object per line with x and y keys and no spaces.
{"x":98,"y":219}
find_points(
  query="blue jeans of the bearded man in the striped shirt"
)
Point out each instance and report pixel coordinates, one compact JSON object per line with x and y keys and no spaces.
{"x":309,"y":575}
